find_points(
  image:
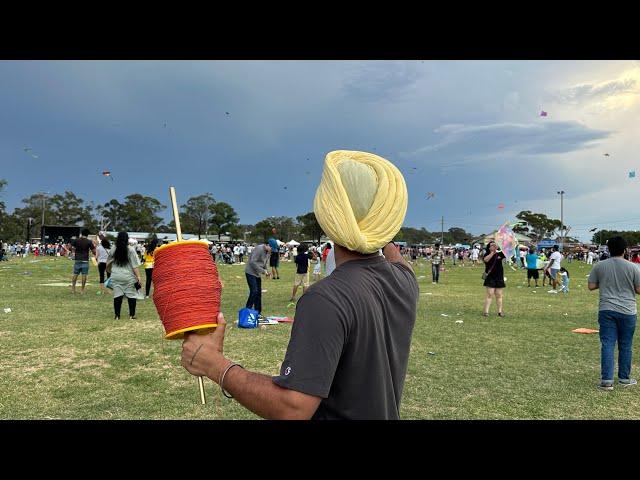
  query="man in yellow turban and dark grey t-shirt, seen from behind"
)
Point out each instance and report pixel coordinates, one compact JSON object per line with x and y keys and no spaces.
{"x":349,"y":348}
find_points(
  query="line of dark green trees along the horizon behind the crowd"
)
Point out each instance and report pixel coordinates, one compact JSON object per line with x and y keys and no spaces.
{"x":204,"y":215}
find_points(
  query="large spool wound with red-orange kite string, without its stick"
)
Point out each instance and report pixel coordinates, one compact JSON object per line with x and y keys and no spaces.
{"x":186,"y":287}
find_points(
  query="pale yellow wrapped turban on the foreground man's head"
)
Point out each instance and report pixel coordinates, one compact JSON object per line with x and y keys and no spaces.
{"x":361,"y":201}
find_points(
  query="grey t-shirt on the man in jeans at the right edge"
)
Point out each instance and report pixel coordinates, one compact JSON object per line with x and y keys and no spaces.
{"x":617,"y":279}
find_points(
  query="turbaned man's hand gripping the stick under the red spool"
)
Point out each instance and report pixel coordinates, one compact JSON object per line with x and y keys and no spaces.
{"x":202,"y":353}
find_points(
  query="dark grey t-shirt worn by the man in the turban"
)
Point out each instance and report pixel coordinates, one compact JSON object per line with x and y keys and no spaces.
{"x":350,"y":340}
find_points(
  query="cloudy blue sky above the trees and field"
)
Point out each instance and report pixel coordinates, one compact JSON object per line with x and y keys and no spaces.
{"x":469,"y":131}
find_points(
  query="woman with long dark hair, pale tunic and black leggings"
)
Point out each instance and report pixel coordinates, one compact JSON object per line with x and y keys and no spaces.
{"x":123,"y":264}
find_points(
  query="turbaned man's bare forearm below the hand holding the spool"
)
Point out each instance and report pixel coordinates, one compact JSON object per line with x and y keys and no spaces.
{"x":257,"y":393}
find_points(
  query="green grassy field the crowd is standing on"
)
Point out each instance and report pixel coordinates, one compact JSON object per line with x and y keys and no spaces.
{"x":64,"y":357}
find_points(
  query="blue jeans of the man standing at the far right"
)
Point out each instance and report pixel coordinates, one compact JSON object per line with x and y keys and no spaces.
{"x":616,"y":327}
